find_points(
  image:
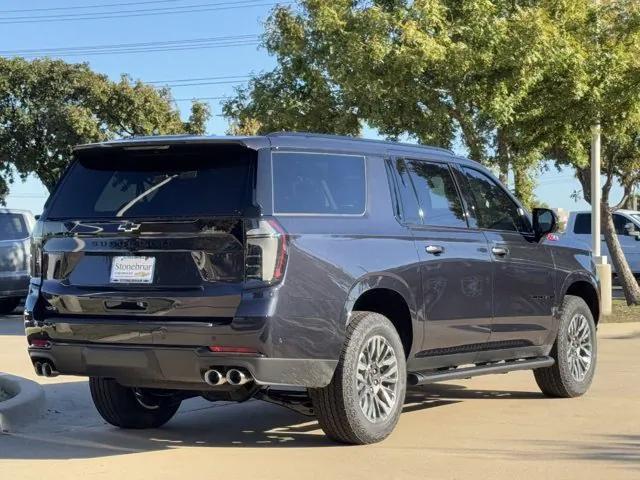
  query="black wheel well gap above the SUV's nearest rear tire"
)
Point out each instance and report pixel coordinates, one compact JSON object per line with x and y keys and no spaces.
{"x":393,"y":306}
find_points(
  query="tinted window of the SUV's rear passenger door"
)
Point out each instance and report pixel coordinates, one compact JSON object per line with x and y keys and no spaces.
{"x":440,"y":204}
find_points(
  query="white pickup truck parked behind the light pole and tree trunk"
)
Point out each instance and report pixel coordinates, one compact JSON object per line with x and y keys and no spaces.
{"x":627,"y":224}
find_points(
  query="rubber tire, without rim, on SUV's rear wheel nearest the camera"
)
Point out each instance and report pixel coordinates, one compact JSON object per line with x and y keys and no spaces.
{"x":337,"y":405}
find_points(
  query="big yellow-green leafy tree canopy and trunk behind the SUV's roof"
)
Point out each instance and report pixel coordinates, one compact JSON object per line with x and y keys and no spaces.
{"x":517,"y":81}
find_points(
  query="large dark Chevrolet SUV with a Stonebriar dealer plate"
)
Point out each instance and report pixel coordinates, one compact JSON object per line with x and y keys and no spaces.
{"x":317,"y":272}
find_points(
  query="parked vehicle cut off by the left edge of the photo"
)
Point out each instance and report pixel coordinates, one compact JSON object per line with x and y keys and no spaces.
{"x":15,"y":228}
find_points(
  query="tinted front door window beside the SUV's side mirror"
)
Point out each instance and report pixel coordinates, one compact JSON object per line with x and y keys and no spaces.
{"x":492,"y":206}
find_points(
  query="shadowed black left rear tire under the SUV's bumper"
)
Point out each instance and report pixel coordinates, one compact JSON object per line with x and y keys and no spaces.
{"x":121,"y":407}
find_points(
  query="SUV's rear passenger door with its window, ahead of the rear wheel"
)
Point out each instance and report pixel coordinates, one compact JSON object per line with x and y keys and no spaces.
{"x":455,"y":264}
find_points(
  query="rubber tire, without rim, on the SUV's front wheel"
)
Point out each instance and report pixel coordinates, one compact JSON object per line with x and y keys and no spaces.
{"x":558,"y":380}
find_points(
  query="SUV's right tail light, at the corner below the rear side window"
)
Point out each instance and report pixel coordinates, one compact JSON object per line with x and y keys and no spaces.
{"x":266,"y":252}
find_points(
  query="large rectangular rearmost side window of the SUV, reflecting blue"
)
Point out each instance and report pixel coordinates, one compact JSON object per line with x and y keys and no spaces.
{"x":310,"y":183}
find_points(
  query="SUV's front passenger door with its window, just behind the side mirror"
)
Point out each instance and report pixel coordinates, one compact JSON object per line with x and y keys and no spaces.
{"x":524,"y":272}
